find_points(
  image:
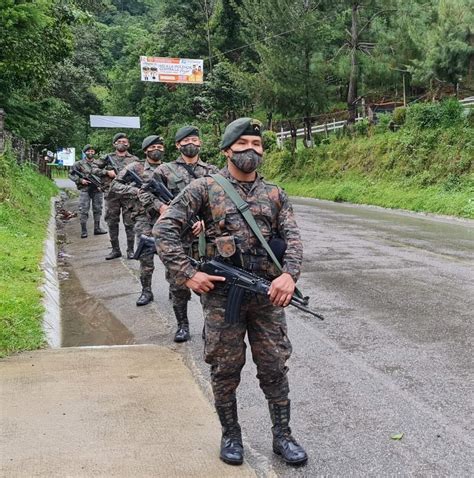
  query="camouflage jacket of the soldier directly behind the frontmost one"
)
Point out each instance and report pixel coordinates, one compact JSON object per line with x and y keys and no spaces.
{"x":176,"y":177}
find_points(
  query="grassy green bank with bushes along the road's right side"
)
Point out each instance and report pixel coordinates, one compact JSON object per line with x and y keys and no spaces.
{"x":427,"y":165}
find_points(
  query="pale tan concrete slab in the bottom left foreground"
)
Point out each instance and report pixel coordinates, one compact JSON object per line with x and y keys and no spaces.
{"x":124,"y":411}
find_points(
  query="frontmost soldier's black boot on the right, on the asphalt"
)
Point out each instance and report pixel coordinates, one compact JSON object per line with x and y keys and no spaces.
{"x":283,"y":442}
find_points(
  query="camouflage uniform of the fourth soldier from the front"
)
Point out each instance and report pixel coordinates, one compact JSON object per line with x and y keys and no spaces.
{"x":116,"y":203}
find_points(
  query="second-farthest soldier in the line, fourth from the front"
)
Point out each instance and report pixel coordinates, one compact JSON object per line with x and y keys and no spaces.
{"x":108,"y":168}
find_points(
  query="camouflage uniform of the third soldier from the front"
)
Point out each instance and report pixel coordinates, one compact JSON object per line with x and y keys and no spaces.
{"x":145,"y":210}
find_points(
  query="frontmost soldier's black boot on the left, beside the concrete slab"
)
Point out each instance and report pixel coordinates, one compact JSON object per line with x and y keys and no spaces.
{"x":232,"y":450}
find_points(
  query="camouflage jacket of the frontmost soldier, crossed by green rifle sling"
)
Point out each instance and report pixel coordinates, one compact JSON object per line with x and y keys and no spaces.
{"x":226,"y":229}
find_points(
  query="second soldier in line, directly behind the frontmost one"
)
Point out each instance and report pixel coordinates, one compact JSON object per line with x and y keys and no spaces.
{"x":177,"y":175}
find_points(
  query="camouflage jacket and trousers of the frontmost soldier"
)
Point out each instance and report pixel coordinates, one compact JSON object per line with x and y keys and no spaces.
{"x":226,"y":228}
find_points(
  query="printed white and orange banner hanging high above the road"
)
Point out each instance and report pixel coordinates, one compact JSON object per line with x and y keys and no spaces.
{"x":171,"y":70}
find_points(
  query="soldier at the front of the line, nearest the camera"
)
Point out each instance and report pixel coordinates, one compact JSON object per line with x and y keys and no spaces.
{"x":262,"y":319}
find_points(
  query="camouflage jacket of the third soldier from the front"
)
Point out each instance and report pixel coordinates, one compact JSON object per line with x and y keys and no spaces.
{"x":144,"y":204}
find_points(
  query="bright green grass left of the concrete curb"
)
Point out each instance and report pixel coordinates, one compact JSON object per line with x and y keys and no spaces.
{"x":24,"y":214}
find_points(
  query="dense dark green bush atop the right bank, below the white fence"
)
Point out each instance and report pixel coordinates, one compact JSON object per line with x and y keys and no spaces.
{"x":434,"y":115}
